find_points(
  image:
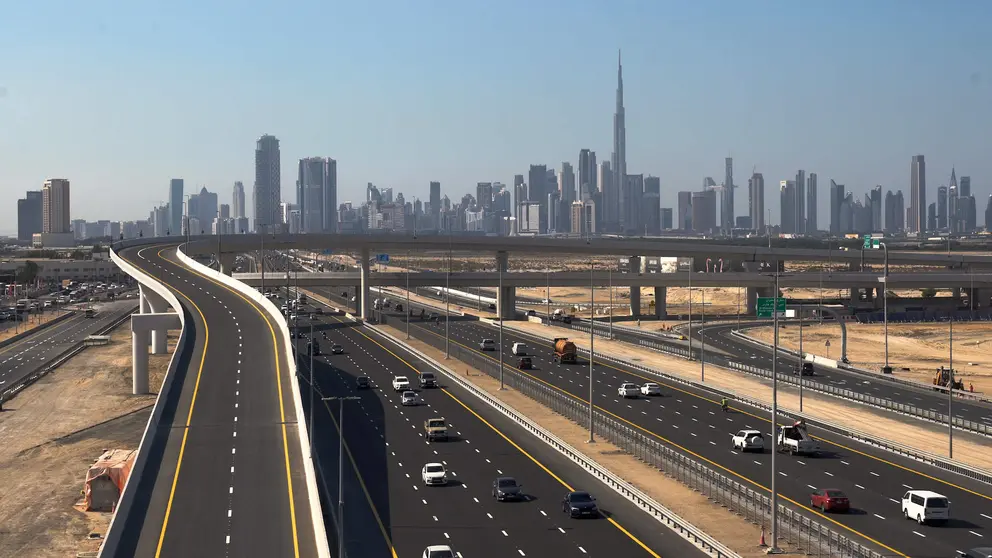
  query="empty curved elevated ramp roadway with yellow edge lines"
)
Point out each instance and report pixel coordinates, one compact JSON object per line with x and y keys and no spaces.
{"x":229,"y":478}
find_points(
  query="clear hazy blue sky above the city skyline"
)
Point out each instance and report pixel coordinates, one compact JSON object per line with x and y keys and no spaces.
{"x":119,"y":97}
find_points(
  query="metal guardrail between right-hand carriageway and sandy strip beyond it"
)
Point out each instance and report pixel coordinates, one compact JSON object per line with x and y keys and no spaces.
{"x":870,"y":439}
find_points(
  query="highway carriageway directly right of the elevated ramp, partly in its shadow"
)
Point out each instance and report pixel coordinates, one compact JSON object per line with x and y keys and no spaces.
{"x":389,"y":511}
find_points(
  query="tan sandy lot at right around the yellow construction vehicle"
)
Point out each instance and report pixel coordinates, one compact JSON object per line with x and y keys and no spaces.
{"x":920,"y":348}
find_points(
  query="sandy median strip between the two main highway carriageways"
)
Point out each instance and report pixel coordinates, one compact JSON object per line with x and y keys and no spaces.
{"x":716,"y":520}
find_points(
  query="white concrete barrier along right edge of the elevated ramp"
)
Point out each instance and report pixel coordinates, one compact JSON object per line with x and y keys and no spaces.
{"x":320,"y":535}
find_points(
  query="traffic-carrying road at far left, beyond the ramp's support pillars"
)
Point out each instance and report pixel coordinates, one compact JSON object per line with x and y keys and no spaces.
{"x":28,"y":355}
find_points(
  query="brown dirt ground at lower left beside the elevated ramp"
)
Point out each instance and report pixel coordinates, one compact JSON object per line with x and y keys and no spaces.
{"x":51,"y":433}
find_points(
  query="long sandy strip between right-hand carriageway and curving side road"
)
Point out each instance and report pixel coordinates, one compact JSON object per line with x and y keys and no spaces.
{"x":918,"y":434}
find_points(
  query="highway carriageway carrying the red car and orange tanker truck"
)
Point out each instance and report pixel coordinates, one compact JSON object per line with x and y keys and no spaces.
{"x":690,"y":420}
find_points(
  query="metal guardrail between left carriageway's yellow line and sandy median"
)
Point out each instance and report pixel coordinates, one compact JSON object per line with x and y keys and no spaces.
{"x":659,"y":512}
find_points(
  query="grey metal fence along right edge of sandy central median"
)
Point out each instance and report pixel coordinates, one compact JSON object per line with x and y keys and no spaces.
{"x":796,"y":528}
